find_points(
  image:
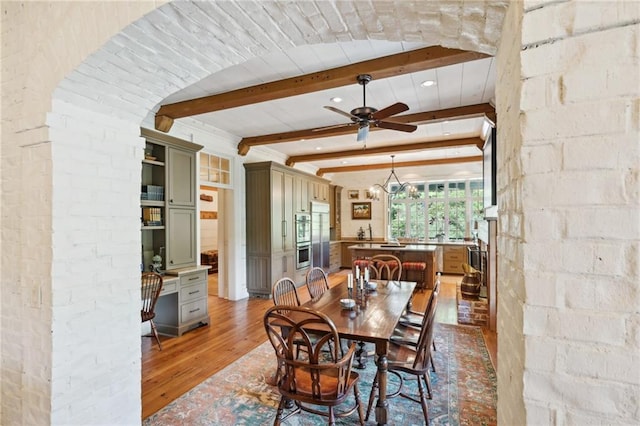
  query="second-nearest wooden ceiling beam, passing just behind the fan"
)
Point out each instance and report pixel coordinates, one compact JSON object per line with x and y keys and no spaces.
{"x":416,"y":118}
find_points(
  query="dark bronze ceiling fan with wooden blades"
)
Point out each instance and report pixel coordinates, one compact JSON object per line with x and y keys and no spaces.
{"x":365,"y":116}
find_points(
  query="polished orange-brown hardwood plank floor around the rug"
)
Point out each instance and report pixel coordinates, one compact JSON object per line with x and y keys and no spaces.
{"x":236,"y":328}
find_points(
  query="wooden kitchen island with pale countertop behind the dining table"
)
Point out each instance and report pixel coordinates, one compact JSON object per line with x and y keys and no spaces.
{"x":429,"y":254}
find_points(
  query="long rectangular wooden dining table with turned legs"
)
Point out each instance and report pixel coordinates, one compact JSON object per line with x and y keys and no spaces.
{"x":372,"y":320}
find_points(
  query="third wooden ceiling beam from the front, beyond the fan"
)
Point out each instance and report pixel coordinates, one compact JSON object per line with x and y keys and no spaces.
{"x":418,"y":146}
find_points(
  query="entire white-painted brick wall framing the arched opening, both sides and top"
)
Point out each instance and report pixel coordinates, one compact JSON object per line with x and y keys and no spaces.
{"x":69,"y":336}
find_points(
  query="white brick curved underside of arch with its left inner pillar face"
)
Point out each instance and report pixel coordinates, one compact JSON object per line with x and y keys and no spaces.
{"x":95,"y":149}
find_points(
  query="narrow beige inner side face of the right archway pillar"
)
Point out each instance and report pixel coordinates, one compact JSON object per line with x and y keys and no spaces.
{"x":510,"y":284}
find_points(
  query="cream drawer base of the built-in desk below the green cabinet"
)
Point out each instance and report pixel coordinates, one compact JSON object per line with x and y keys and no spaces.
{"x":183,"y":307}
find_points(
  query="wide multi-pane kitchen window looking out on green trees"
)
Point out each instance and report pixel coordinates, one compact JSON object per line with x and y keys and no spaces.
{"x":440,"y":209}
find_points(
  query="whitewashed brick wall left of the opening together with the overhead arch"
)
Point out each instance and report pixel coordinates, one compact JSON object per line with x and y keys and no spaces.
{"x":77,"y":83}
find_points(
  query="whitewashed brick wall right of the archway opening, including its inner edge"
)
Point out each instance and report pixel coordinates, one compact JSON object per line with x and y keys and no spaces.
{"x":569,"y":226}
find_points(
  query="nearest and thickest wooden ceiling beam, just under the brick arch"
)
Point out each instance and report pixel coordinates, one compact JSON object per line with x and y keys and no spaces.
{"x":379,"y":68}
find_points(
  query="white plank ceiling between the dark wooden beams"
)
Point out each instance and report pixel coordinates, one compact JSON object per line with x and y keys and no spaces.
{"x":457,"y":85}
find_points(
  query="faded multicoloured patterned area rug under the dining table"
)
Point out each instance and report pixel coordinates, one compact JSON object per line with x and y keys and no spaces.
{"x":464,"y":390}
